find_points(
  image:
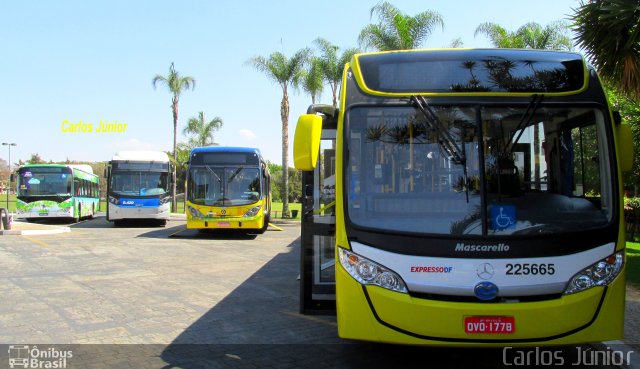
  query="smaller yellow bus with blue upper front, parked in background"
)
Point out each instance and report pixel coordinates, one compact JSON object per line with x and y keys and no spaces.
{"x":228,"y":188}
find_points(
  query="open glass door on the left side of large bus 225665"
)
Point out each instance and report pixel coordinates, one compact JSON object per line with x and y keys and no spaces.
{"x":317,"y":251}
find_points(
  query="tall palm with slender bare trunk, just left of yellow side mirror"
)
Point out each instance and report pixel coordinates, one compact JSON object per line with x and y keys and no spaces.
{"x":285,"y":72}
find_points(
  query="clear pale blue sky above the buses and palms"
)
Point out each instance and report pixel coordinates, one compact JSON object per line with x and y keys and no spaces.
{"x":90,"y":61}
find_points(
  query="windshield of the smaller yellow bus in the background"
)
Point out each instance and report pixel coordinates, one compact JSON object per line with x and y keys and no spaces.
{"x":223,"y":186}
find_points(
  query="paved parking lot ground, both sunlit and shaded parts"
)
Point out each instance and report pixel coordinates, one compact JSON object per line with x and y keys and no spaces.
{"x":187,"y":301}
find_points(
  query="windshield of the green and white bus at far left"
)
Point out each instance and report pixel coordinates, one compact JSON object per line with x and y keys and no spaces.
{"x":43,"y":181}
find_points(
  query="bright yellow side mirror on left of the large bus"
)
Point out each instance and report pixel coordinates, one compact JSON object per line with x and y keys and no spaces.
{"x":306,"y":143}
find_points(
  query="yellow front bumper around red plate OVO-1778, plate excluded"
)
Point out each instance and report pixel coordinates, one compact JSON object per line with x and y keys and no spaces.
{"x":372,"y":313}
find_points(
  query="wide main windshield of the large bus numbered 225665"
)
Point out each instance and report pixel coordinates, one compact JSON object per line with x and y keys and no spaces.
{"x":474,"y":170}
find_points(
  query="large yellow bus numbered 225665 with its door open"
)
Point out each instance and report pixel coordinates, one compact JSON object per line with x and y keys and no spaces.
{"x":476,"y":199}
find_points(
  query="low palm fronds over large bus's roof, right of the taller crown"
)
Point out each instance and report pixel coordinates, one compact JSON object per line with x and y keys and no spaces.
{"x":555,"y":36}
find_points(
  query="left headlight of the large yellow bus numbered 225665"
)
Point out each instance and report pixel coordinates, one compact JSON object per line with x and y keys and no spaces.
{"x":366,"y":271}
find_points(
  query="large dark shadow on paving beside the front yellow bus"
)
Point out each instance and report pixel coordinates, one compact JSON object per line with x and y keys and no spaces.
{"x":258,"y":326}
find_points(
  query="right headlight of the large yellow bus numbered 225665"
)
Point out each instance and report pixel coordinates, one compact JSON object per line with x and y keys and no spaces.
{"x":598,"y":274}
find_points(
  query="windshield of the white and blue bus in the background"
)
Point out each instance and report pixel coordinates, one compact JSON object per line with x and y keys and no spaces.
{"x":139,"y":183}
